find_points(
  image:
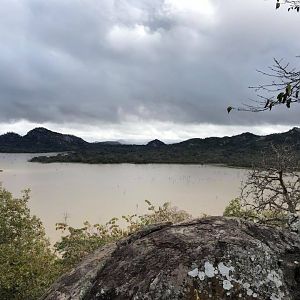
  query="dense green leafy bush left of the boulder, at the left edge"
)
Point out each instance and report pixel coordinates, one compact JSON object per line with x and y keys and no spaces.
{"x":27,"y":265}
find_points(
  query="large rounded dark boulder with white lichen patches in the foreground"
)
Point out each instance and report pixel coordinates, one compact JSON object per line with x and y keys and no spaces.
{"x":211,"y":258}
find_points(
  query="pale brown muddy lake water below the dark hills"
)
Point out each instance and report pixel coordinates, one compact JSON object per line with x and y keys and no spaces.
{"x":99,"y":192}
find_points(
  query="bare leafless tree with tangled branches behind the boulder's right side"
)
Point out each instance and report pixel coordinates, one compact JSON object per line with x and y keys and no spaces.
{"x":272,"y":189}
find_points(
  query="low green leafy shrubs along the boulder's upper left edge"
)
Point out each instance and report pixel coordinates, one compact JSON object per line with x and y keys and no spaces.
{"x":78,"y":242}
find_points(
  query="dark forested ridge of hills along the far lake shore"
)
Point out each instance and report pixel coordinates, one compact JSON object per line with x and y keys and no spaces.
{"x":240,"y":150}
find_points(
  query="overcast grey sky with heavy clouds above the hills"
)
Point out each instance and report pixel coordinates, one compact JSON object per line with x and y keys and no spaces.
{"x":141,"y":69}
